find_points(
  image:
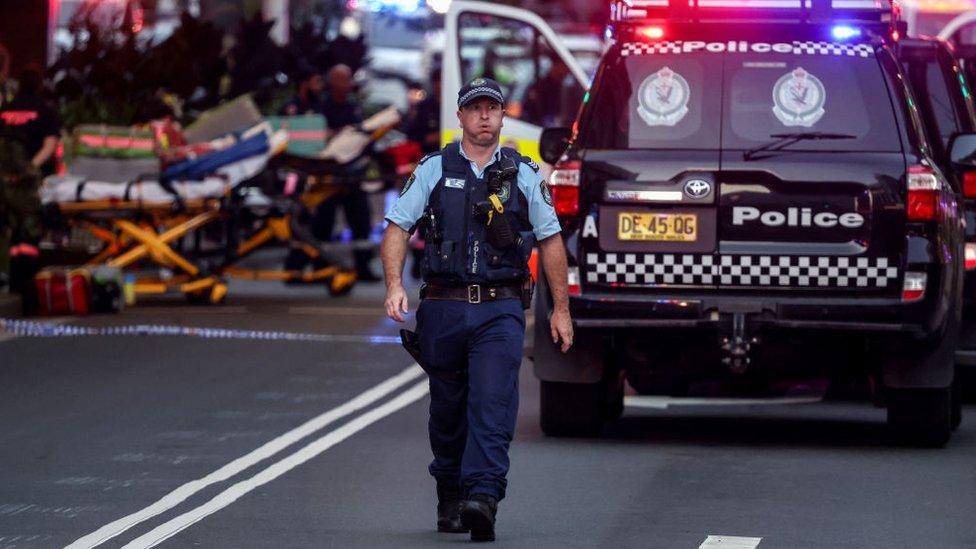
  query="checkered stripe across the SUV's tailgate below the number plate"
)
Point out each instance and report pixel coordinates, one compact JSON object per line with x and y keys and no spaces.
{"x":739,"y":270}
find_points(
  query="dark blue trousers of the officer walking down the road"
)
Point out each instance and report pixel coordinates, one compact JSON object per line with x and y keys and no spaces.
{"x":472,"y":422}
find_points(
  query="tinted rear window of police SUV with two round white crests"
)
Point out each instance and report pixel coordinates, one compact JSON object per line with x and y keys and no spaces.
{"x":739,"y":100}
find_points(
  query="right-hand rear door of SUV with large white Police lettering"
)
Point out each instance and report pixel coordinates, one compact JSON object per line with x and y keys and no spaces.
{"x":816,"y":212}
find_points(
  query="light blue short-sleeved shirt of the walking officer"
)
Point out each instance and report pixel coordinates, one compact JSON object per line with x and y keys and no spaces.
{"x":411,"y":204}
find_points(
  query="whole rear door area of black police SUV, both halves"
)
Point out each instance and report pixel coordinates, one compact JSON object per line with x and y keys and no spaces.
{"x":744,"y":162}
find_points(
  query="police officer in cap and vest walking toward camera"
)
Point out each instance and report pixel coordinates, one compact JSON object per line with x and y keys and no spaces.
{"x":471,"y":322}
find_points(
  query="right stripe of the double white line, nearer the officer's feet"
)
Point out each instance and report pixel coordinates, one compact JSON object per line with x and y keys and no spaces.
{"x":174,"y":526}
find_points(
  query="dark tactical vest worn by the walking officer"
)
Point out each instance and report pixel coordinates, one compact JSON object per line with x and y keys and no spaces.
{"x":457,"y":251}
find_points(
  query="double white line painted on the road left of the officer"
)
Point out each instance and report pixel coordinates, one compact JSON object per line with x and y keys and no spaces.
{"x":223,"y":499}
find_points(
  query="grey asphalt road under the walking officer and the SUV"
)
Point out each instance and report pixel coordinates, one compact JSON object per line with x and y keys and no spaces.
{"x":192,"y":442}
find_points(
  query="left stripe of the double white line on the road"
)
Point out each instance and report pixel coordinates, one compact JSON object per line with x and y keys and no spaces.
{"x":265,"y":451}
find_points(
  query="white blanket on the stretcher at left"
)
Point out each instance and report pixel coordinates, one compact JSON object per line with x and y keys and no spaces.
{"x":60,"y":189}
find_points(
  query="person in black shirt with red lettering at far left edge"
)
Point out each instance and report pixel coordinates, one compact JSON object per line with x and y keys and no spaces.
{"x":29,"y":130}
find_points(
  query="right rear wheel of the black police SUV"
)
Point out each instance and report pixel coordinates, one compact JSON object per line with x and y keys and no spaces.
{"x":920,"y":417}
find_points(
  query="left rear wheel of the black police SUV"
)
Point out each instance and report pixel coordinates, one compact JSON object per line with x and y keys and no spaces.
{"x":571,"y":409}
